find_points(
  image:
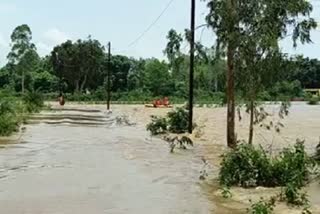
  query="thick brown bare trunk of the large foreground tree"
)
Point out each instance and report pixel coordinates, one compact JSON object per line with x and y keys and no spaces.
{"x":231,"y":138}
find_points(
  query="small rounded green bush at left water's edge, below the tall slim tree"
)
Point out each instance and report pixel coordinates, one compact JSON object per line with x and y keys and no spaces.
{"x":33,"y":101}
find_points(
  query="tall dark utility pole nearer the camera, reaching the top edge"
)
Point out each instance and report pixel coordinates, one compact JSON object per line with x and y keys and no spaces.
{"x":193,"y":14}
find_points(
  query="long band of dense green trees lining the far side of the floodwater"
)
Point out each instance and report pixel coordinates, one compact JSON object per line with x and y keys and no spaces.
{"x":80,"y":67}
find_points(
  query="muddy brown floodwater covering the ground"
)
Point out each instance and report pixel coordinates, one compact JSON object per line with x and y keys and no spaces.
{"x":78,"y":159}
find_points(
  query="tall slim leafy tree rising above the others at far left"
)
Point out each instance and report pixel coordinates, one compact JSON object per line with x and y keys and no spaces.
{"x":22,"y":56}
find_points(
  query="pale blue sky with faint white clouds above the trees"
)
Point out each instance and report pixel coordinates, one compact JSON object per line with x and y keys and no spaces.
{"x":53,"y":22}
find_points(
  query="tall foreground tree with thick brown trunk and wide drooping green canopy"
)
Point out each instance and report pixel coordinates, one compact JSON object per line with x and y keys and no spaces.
{"x":250,"y":31}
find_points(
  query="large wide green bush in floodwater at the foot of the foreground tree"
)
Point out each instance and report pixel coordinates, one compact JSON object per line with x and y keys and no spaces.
{"x":247,"y":166}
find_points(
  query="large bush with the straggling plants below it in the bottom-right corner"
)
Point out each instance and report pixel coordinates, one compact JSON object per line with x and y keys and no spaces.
{"x":248,"y":166}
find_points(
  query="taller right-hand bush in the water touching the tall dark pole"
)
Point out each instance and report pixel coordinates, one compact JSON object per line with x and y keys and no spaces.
{"x":178,"y":120}
